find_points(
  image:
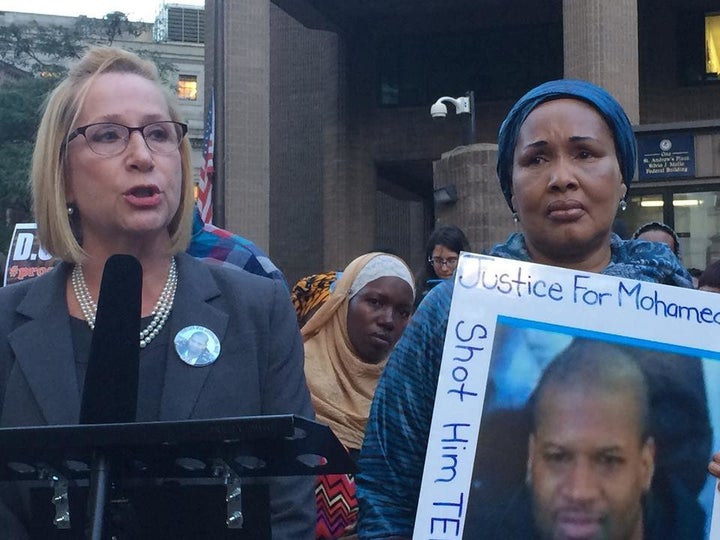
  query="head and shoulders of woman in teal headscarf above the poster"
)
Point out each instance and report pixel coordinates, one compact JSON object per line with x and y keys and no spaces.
{"x":564,"y":188}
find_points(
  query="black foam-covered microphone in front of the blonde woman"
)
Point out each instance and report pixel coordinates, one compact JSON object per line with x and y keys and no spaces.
{"x":111,"y":382}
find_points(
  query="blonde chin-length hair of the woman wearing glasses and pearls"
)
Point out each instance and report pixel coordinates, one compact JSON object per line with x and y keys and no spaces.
{"x":58,"y":232}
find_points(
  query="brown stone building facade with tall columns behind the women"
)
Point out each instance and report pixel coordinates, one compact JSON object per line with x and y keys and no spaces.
{"x":329,"y":145}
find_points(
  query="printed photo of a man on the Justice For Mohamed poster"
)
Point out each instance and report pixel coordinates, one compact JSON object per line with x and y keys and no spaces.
{"x":612,"y":442}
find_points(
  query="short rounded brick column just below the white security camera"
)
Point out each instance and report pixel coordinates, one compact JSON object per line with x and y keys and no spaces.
{"x":480,"y":211}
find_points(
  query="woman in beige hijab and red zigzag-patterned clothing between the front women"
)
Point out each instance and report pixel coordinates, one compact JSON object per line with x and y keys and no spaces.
{"x":347,"y":342}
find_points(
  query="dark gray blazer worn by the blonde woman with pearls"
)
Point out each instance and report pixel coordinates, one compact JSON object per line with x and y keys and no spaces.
{"x":259,"y":369}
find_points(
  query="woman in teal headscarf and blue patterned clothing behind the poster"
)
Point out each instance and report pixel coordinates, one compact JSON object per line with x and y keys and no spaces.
{"x":566,"y":156}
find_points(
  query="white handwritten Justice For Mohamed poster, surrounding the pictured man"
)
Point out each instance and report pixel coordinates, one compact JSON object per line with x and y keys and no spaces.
{"x":508,"y":320}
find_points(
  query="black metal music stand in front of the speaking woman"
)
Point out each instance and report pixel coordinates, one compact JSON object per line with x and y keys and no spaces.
{"x":223,"y":452}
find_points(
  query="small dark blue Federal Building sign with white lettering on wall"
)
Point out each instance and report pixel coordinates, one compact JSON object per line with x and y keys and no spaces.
{"x":666,"y":156}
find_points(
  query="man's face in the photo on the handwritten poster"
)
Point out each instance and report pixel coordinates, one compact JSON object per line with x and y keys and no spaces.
{"x":588,"y":466}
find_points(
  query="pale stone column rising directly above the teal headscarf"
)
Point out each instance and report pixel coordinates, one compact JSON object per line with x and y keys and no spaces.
{"x":601,"y":46}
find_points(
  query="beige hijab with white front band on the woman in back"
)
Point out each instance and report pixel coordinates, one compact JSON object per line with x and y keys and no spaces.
{"x":341,"y":384}
